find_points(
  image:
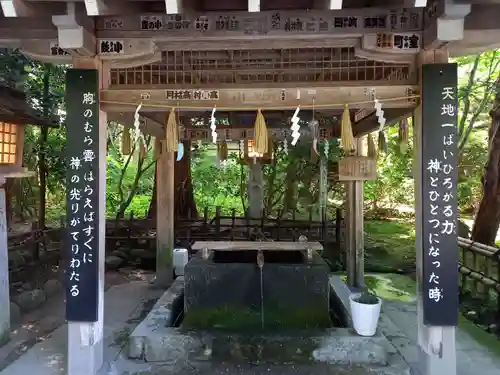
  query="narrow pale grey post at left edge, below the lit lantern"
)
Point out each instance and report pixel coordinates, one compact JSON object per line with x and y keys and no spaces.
{"x":4,"y":269}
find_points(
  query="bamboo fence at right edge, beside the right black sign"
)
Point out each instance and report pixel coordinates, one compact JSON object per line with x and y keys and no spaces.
{"x":479,"y":282}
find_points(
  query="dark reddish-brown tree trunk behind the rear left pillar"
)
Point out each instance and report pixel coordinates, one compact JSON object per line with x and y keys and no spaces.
{"x":185,"y":204}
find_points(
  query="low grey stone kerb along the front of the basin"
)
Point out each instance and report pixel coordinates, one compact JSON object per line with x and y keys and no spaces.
{"x":334,"y":346}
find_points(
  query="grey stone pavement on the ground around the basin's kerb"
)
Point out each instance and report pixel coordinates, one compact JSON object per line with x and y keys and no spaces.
{"x":125,"y":308}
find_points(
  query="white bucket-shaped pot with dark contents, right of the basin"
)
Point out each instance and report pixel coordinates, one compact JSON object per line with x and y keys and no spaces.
{"x":365,"y":312}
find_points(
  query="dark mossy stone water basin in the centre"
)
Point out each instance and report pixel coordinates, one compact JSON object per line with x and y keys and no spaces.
{"x":230,"y":291}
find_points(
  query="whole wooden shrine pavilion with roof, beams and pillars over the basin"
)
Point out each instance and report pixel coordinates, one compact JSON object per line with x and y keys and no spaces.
{"x":141,"y":58}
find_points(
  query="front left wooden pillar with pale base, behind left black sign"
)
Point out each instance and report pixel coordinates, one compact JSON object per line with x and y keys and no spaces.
{"x":85,"y":339}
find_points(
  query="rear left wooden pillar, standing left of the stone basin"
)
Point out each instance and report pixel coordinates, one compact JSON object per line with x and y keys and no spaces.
{"x":165,"y":217}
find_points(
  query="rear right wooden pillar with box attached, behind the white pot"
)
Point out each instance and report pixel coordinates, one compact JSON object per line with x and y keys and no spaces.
{"x":355,"y":229}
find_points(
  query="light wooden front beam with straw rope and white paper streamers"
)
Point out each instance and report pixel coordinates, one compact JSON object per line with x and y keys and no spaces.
{"x":330,"y":95}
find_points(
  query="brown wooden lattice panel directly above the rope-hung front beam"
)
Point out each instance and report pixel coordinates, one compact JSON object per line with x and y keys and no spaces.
{"x":260,"y":66}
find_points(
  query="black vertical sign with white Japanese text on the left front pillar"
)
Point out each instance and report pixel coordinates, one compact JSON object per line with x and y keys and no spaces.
{"x":82,"y":186}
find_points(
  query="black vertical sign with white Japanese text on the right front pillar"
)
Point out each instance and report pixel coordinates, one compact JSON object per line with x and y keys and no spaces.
{"x":439,"y":200}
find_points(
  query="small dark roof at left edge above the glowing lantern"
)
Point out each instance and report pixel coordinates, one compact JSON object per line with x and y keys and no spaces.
{"x":15,"y":110}
